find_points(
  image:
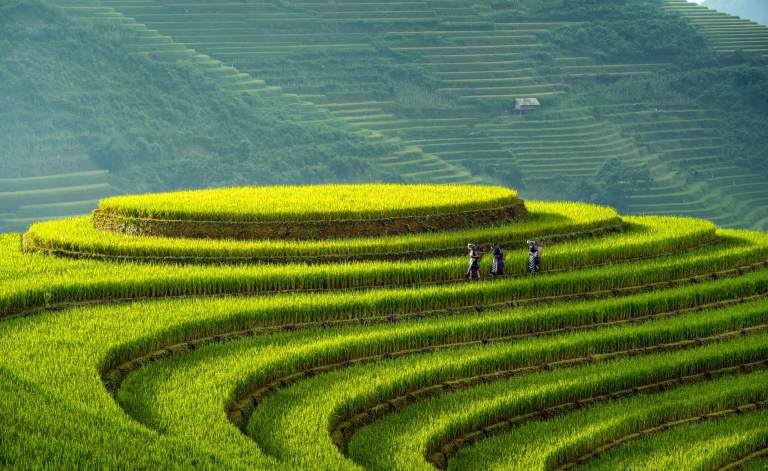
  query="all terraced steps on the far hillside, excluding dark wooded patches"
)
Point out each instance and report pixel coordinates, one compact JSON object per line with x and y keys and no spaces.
{"x":322,"y":59}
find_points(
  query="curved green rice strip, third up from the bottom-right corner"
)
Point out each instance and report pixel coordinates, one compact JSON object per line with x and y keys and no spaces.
{"x":549,"y":444}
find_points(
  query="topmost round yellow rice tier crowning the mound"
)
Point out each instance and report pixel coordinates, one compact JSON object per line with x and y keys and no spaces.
{"x":309,"y":203}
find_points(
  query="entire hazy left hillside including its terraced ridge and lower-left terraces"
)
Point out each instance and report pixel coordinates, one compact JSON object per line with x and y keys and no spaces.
{"x":130,"y":110}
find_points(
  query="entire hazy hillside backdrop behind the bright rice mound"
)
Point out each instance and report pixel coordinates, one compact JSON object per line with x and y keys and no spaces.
{"x":654,"y":107}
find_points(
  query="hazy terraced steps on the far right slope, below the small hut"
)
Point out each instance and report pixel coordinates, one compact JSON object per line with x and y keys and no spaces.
{"x":670,"y":139}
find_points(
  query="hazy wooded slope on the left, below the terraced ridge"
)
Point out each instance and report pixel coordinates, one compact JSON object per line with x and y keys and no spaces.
{"x":155,"y":125}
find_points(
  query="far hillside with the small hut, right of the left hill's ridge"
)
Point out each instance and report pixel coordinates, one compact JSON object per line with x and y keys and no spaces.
{"x":633,"y":81}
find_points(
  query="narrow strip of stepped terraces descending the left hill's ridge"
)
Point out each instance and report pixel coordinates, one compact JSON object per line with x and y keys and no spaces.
{"x":278,"y":94}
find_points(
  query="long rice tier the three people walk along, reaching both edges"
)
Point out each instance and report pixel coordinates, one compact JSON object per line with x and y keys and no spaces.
{"x":87,"y":280}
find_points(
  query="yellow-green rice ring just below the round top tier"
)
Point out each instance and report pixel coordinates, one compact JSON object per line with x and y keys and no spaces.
{"x":547,"y":219}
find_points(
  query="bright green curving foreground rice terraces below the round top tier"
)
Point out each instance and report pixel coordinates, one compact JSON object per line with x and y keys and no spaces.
{"x":643,"y":341}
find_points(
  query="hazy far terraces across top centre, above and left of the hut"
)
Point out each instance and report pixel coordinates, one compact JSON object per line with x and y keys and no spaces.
{"x":325,"y":56}
